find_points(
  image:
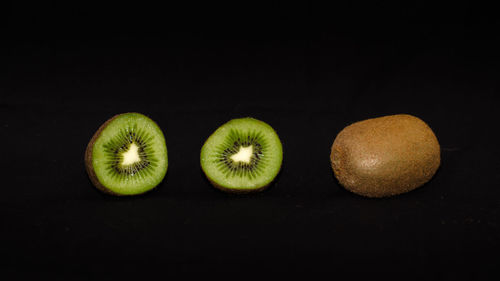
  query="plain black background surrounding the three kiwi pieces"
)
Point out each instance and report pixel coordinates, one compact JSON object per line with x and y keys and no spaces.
{"x":306,"y":69}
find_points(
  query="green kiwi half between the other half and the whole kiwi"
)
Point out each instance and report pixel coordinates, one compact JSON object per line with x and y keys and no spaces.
{"x":242,"y":156}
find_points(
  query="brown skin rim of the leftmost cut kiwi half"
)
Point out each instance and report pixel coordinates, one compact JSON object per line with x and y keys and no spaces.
{"x":88,"y":159}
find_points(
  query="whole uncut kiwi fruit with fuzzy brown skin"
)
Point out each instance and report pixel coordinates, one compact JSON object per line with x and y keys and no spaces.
{"x":385,"y":156}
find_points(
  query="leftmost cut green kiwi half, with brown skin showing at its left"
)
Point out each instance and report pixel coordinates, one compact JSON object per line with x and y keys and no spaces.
{"x":127,"y":155}
